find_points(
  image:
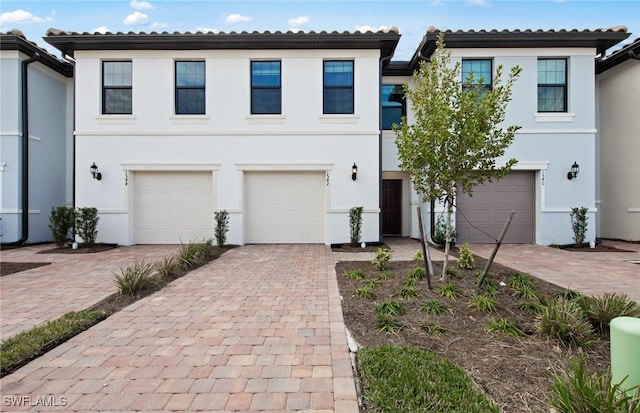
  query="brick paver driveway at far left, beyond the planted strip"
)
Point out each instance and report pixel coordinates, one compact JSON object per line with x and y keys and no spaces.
{"x":72,"y":282}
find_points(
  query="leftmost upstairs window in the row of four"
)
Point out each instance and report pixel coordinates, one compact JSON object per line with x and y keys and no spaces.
{"x":116,"y":88}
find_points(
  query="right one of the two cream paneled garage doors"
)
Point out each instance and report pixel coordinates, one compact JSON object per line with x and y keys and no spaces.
{"x":284,"y":207}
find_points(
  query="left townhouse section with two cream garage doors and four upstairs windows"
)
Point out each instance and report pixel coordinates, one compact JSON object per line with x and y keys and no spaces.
{"x":267,"y":126}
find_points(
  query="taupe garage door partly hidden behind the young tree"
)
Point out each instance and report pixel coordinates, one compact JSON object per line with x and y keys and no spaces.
{"x":489,"y":207}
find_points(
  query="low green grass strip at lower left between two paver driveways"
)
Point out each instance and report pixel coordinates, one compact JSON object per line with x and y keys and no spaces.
{"x":18,"y":350}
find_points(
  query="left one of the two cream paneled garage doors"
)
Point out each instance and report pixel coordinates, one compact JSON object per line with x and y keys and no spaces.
{"x":172,"y":207}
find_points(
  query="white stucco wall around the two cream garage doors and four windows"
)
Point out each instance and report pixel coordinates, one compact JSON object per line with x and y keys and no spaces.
{"x":228,"y":135}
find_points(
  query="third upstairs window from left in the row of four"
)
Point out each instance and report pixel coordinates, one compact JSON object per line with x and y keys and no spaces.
{"x":266,"y":91}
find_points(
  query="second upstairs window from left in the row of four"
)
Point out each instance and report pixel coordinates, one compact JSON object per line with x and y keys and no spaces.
{"x":190,"y":94}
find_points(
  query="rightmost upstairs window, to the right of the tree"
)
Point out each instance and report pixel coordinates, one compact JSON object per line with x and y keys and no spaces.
{"x":552,"y":85}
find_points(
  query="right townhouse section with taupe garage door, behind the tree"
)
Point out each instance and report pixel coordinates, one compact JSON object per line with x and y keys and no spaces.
{"x":554,"y":103}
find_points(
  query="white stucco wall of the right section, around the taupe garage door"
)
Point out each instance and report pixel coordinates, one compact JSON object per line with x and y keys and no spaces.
{"x":546,"y":143}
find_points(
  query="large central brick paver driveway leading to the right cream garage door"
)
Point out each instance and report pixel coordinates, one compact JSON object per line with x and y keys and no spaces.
{"x":259,"y":329}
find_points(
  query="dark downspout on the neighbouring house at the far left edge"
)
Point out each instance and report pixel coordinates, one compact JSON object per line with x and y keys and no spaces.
{"x":25,"y":151}
